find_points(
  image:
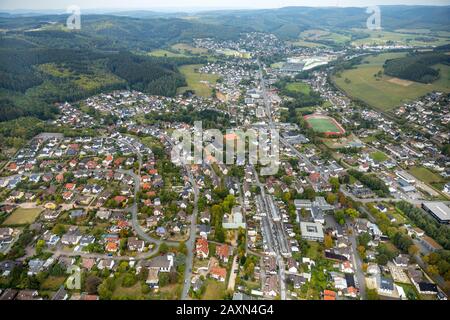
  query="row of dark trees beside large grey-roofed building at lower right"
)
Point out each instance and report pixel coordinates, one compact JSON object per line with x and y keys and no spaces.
{"x":432,"y":228}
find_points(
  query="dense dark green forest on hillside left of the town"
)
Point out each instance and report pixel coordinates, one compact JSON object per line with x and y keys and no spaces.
{"x":33,"y":79}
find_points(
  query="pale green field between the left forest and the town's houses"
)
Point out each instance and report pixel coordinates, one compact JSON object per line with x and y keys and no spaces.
{"x":195,"y":80}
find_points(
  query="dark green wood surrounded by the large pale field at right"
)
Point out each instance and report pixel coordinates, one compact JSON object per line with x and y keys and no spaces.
{"x":416,"y":67}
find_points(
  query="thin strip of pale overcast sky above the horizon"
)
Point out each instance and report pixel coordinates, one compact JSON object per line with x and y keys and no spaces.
{"x":186,"y":4}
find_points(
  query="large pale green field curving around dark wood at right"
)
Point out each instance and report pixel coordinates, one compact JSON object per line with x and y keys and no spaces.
{"x":385,"y":93}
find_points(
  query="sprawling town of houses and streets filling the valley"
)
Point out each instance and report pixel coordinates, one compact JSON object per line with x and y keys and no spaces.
{"x":359,"y":207}
